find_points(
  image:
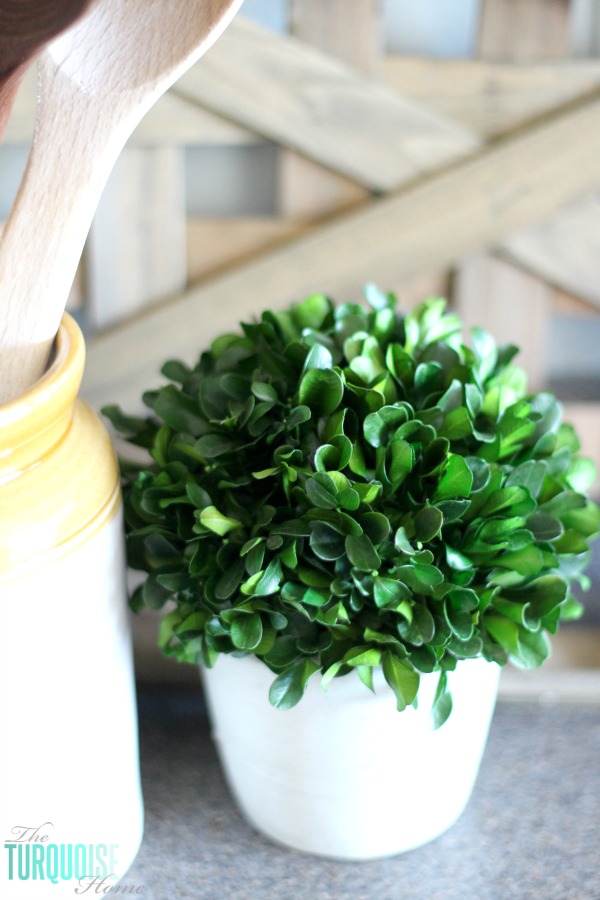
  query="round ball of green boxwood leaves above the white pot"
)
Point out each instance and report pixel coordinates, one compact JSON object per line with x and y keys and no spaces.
{"x":336,"y":488}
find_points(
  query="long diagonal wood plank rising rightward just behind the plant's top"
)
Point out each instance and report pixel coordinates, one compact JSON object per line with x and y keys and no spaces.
{"x":507,"y":187}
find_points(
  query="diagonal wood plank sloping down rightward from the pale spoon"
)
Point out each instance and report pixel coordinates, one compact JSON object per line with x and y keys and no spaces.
{"x":290,"y":93}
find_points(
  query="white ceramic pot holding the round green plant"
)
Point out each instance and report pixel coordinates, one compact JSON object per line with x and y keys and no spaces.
{"x":344,"y":774}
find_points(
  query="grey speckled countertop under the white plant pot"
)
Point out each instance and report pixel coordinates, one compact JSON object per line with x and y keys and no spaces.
{"x":531,"y":831}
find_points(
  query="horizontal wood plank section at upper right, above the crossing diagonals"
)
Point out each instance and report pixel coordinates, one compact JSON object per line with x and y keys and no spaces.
{"x":491,"y":98}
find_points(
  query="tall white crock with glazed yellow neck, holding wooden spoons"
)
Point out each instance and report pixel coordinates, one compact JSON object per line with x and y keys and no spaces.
{"x":70,"y":799}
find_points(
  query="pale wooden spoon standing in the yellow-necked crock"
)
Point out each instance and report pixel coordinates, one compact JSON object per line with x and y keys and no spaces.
{"x":96,"y":82}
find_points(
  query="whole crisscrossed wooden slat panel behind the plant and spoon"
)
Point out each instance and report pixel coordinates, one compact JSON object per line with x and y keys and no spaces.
{"x":477,"y":178}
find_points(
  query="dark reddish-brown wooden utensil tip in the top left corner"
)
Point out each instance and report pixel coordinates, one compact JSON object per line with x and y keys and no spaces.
{"x":25,"y":27}
